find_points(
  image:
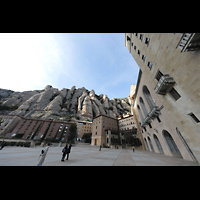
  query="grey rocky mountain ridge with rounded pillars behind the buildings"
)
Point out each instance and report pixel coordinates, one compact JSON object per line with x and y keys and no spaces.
{"x":65,"y":104}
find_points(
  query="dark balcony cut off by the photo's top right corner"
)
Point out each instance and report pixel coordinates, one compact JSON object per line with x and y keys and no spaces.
{"x":189,"y":42}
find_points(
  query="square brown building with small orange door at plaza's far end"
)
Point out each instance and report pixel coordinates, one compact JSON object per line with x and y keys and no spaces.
{"x":104,"y":131}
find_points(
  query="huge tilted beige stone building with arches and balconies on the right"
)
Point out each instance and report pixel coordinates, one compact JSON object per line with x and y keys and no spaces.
{"x":167,"y":95}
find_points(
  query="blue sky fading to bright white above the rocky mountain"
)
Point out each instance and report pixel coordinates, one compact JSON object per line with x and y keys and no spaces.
{"x":98,"y":61}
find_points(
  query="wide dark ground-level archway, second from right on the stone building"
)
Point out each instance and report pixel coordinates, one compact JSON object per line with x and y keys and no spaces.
{"x":171,"y":144}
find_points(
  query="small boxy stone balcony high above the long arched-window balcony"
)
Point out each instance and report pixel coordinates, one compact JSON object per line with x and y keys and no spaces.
{"x":164,"y":84}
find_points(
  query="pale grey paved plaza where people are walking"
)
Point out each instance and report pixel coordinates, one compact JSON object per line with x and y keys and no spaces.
{"x":87,"y":155}
